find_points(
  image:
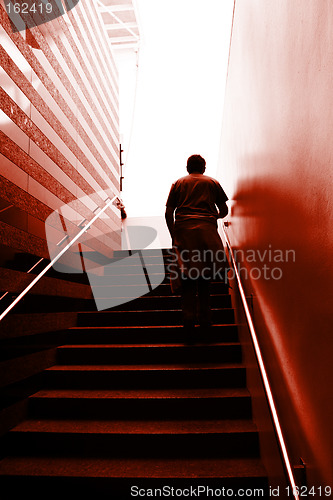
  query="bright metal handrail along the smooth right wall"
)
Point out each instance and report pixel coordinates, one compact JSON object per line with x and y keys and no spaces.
{"x":263,"y":373}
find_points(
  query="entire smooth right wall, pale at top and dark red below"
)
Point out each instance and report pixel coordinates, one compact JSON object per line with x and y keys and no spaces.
{"x":276,"y":166}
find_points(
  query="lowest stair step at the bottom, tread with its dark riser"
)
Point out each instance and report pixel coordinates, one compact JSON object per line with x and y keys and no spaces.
{"x":124,"y":479}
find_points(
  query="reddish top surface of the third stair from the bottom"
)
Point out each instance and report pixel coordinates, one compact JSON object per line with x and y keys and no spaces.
{"x":142,"y":393}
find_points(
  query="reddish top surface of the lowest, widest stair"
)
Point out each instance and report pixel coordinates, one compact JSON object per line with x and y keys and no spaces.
{"x":126,"y":468}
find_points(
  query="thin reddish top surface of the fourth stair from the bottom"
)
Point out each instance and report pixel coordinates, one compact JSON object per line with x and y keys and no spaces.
{"x":146,"y":367}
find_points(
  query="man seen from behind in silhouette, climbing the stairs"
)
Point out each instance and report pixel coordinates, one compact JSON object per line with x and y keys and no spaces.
{"x":194,"y":204}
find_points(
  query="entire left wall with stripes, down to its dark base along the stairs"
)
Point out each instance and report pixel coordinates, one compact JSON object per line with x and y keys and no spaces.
{"x":59,"y":146}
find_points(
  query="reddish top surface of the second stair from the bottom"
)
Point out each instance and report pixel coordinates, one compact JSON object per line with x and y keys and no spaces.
{"x":136,"y":426}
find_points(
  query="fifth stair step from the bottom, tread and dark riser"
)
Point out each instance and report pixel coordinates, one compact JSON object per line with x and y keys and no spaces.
{"x":148,"y":353}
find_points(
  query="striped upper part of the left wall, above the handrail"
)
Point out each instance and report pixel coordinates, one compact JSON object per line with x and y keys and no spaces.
{"x":59,"y":139}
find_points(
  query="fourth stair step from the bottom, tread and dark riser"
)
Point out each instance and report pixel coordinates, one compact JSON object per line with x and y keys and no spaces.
{"x":168,"y":375}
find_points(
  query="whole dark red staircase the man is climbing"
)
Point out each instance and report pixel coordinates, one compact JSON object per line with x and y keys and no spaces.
{"x":129,"y":404}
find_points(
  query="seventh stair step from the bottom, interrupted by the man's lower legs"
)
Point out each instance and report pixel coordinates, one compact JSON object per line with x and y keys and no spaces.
{"x":154,"y":317}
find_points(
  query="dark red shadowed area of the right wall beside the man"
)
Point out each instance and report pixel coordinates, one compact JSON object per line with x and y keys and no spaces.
{"x":283,"y":223}
